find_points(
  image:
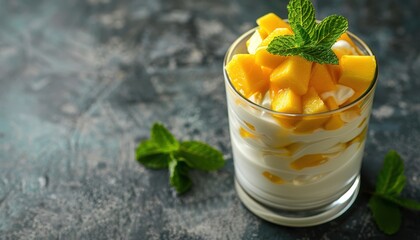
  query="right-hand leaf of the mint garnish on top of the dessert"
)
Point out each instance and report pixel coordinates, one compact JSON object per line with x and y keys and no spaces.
{"x":329,"y":30}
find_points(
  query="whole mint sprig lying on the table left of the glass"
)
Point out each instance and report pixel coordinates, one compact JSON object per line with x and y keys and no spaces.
{"x":163,"y":150}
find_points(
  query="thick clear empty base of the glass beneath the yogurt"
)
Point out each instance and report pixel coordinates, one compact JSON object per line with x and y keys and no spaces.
{"x":303,"y":218}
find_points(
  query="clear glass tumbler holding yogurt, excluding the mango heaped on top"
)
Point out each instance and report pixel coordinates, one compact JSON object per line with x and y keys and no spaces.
{"x":296,"y":176}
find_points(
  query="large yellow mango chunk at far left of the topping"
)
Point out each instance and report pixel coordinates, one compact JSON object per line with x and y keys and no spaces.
{"x":245,"y":75}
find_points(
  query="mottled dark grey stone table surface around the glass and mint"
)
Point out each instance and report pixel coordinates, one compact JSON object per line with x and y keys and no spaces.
{"x":81,"y":82}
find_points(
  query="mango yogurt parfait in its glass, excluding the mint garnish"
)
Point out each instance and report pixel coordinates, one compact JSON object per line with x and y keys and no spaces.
{"x":298,"y":127}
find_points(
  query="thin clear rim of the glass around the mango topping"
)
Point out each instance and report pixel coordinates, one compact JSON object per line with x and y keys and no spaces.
{"x":247,"y":34}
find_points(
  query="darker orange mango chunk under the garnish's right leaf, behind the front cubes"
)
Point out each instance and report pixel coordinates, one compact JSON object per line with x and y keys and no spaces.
{"x":321,"y":79}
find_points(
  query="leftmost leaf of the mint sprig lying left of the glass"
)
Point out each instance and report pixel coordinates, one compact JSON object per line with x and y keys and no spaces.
{"x":148,"y":154}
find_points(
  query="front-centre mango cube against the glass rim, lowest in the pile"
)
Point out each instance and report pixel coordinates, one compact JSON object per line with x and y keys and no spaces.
{"x":286,"y":101}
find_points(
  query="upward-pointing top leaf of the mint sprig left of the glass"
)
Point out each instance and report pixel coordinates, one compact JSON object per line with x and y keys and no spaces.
{"x":162,"y":138}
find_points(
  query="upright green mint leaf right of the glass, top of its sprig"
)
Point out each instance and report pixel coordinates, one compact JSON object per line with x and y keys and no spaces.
{"x":391,"y":179}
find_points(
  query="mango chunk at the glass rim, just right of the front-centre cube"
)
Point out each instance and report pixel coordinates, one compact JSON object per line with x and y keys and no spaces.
{"x":311,"y":104}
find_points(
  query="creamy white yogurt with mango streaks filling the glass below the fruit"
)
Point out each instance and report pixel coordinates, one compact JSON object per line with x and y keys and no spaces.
{"x":267,"y":152}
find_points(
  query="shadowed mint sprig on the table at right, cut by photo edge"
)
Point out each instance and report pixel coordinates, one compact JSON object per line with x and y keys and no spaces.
{"x":386,"y":201}
